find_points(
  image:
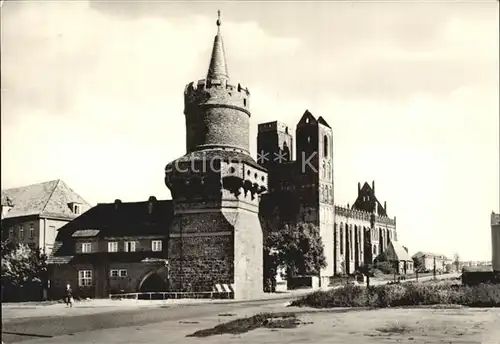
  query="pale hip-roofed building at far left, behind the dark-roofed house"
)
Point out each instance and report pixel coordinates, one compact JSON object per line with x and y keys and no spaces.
{"x":32,"y":214}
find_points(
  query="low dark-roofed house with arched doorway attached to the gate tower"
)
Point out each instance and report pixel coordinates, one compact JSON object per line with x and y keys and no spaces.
{"x":113,"y":248}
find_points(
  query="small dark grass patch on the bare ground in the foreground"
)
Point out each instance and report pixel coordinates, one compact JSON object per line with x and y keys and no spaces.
{"x":263,"y":320}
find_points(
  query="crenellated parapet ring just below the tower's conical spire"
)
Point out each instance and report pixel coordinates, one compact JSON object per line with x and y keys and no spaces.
{"x":216,"y":92}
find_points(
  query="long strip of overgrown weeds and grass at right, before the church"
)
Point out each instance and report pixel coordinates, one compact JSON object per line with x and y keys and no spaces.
{"x":405,"y":294}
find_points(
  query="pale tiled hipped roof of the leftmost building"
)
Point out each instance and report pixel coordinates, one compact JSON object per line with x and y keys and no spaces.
{"x":52,"y":198}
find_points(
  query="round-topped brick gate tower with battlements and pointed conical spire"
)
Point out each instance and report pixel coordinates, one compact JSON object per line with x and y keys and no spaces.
{"x":216,"y":236}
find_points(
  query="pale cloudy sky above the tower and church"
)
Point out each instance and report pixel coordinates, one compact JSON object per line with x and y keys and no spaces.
{"x":92,"y":93}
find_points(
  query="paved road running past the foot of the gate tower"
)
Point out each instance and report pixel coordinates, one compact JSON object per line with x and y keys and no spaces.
{"x":22,"y":329}
